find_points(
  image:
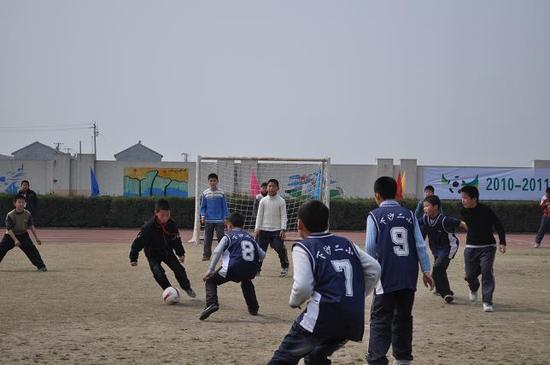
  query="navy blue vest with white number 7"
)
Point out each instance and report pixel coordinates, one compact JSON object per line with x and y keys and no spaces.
{"x":337,"y":307}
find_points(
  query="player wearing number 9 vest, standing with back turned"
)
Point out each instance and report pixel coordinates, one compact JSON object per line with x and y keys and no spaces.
{"x":395,"y":240}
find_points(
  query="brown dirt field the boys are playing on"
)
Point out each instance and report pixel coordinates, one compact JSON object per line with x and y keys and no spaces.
{"x":91,"y":307}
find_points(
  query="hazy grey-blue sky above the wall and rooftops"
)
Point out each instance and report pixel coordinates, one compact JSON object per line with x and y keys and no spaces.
{"x":445,"y":82}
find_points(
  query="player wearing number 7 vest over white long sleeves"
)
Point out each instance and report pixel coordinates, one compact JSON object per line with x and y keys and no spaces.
{"x":335,"y":275}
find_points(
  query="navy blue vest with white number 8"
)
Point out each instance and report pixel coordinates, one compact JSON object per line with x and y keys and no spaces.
{"x":241,"y":256}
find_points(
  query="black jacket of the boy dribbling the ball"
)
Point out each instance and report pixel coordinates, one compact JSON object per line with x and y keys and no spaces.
{"x":155,"y":240}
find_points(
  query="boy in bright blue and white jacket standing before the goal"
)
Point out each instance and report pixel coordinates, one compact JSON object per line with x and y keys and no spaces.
{"x":213,"y":213}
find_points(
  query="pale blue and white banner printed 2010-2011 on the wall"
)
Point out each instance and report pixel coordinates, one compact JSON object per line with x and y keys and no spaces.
{"x":493,"y":183}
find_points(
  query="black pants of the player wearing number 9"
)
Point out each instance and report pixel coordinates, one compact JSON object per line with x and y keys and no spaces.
{"x":391,"y":323}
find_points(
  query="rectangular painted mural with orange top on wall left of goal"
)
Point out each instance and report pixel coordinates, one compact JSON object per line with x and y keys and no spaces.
{"x":149,"y":181}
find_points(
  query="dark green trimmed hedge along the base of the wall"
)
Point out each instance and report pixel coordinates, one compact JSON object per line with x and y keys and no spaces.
{"x":346,"y":214}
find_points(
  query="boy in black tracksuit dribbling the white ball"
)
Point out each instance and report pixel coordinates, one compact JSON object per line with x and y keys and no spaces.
{"x":159,"y":238}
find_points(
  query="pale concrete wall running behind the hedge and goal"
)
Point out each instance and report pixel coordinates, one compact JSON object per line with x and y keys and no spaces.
{"x":67,"y":174}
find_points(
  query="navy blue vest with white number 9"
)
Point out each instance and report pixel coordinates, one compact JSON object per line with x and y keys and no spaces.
{"x":395,"y":247}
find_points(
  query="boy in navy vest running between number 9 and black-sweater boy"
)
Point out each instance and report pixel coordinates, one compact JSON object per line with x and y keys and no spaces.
{"x":440,"y":230}
